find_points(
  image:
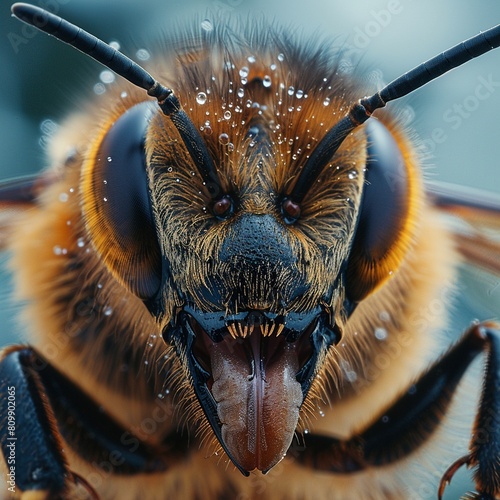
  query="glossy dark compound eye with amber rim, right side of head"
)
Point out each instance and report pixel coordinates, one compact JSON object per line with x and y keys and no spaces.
{"x":383,"y":231}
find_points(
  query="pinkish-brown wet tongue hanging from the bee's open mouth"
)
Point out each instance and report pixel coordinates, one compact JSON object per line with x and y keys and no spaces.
{"x":258,"y":396}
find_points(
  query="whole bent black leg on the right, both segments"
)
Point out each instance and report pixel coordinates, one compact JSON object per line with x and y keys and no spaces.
{"x":412,"y":418}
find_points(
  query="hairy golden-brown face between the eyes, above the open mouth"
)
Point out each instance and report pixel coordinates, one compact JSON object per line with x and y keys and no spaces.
{"x":242,"y":244}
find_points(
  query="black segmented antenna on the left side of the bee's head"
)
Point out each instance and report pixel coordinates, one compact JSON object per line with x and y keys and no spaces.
{"x":135,"y":74}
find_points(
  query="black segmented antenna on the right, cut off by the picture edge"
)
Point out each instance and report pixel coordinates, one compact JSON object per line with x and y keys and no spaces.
{"x":363,"y":109}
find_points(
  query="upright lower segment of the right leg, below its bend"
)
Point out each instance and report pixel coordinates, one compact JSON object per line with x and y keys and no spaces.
{"x":484,"y":450}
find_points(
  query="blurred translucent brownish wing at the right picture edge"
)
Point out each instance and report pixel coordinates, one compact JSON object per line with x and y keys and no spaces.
{"x":474,"y":219}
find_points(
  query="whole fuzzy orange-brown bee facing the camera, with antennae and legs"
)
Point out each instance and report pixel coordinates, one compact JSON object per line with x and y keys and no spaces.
{"x":219,"y":254}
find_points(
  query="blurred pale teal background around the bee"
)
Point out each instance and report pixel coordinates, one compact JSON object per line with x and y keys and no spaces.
{"x":43,"y":79}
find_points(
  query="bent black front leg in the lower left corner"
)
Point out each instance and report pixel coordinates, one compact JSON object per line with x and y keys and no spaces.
{"x":50,"y":408}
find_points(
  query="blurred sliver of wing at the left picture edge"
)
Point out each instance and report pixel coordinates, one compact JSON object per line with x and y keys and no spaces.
{"x":16,"y":196}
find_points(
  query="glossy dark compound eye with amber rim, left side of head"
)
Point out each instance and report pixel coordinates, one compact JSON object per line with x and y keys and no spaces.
{"x":117,"y":204}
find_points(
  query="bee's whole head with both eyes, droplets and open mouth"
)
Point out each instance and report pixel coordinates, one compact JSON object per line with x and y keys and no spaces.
{"x":251,"y":272}
